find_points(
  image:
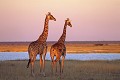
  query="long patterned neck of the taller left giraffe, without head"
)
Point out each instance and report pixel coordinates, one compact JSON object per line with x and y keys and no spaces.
{"x":44,"y":35}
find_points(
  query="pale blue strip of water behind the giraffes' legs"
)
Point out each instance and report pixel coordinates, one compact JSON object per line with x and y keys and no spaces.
{"x":90,"y":56}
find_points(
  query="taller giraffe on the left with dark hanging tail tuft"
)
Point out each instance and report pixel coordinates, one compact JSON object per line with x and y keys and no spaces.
{"x":39,"y":47}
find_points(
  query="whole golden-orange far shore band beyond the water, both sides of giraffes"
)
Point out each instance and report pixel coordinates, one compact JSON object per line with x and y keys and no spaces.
{"x":72,"y":47}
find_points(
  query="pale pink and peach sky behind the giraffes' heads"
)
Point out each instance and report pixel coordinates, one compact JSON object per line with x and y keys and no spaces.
{"x":92,"y":20}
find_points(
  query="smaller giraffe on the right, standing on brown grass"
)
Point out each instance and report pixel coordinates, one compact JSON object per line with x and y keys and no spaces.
{"x":59,"y":49}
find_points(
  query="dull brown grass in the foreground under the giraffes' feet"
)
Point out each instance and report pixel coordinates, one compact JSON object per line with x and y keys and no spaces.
{"x":74,"y":70}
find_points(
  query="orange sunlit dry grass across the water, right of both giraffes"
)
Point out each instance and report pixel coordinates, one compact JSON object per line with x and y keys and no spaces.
{"x":92,"y":48}
